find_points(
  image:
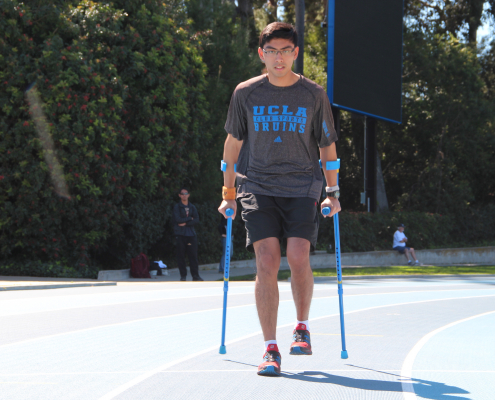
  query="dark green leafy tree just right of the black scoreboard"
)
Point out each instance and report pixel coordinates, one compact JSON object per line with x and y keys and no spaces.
{"x":441,"y":158}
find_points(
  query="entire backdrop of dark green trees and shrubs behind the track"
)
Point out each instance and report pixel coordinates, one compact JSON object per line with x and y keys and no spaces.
{"x":136,"y":95}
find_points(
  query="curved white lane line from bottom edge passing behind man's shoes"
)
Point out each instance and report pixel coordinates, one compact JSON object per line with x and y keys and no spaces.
{"x":147,"y":375}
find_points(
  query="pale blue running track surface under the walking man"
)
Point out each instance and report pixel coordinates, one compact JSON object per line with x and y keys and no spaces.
{"x":407,"y":339}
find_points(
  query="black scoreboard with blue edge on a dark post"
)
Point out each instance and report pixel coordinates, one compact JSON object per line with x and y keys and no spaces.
{"x":365,"y":69}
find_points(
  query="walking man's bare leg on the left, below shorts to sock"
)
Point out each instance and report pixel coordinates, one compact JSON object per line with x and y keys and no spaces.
{"x":266,"y":288}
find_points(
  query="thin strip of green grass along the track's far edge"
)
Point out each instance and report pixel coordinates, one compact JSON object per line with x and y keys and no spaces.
{"x":394,"y":270}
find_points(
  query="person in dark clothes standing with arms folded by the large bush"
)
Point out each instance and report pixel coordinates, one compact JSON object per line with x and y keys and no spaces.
{"x":185,"y":217}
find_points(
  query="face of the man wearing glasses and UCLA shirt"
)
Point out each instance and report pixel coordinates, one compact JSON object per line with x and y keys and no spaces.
{"x":278,"y":63}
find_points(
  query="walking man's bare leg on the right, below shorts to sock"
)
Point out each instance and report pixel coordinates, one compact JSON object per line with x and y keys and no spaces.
{"x":301,"y":275}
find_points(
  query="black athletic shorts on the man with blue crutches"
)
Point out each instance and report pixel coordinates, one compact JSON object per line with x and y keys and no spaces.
{"x":280,"y":217}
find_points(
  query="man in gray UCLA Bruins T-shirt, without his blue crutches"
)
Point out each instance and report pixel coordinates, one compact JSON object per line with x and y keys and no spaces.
{"x":279,"y":125}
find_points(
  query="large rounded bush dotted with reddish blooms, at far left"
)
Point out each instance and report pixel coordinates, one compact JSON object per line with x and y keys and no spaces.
{"x":123,"y":95}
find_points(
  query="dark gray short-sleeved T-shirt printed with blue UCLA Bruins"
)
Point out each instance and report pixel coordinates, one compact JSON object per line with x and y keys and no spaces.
{"x":281,"y":129}
